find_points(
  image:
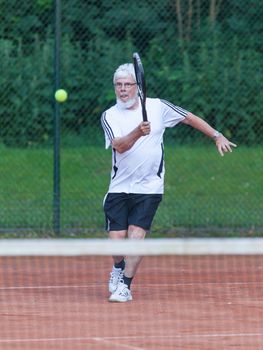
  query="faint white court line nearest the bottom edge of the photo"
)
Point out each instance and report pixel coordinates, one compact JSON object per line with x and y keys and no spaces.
{"x":175,"y":336}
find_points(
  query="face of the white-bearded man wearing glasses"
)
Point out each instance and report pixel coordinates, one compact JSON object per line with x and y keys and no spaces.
{"x":126,"y":91}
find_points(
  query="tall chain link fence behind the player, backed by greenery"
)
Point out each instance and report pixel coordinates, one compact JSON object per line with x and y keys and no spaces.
{"x":203,"y":55}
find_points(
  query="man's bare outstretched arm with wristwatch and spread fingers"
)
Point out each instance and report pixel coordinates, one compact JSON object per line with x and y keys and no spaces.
{"x":222,"y":143}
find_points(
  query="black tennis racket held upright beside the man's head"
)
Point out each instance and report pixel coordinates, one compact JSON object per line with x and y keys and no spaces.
{"x":140,"y":80}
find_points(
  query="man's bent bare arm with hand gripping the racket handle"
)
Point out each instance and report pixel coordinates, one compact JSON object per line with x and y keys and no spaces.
{"x":124,"y":143}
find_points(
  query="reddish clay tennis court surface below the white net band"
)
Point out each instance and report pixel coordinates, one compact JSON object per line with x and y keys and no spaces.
{"x":180,"y":302}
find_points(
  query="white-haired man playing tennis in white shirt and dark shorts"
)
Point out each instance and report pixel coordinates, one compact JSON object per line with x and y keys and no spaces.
{"x":137,"y":175}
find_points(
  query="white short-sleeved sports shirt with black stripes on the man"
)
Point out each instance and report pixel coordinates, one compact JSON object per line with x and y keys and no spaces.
{"x":141,"y":168}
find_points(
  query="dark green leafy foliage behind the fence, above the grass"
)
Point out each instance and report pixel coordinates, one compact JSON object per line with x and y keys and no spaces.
{"x":212,"y":65}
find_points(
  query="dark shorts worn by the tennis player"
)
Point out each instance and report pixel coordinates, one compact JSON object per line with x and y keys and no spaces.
{"x":124,"y":209}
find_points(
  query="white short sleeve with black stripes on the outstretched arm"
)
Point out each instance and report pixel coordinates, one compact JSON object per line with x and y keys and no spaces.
{"x":172,"y":114}
